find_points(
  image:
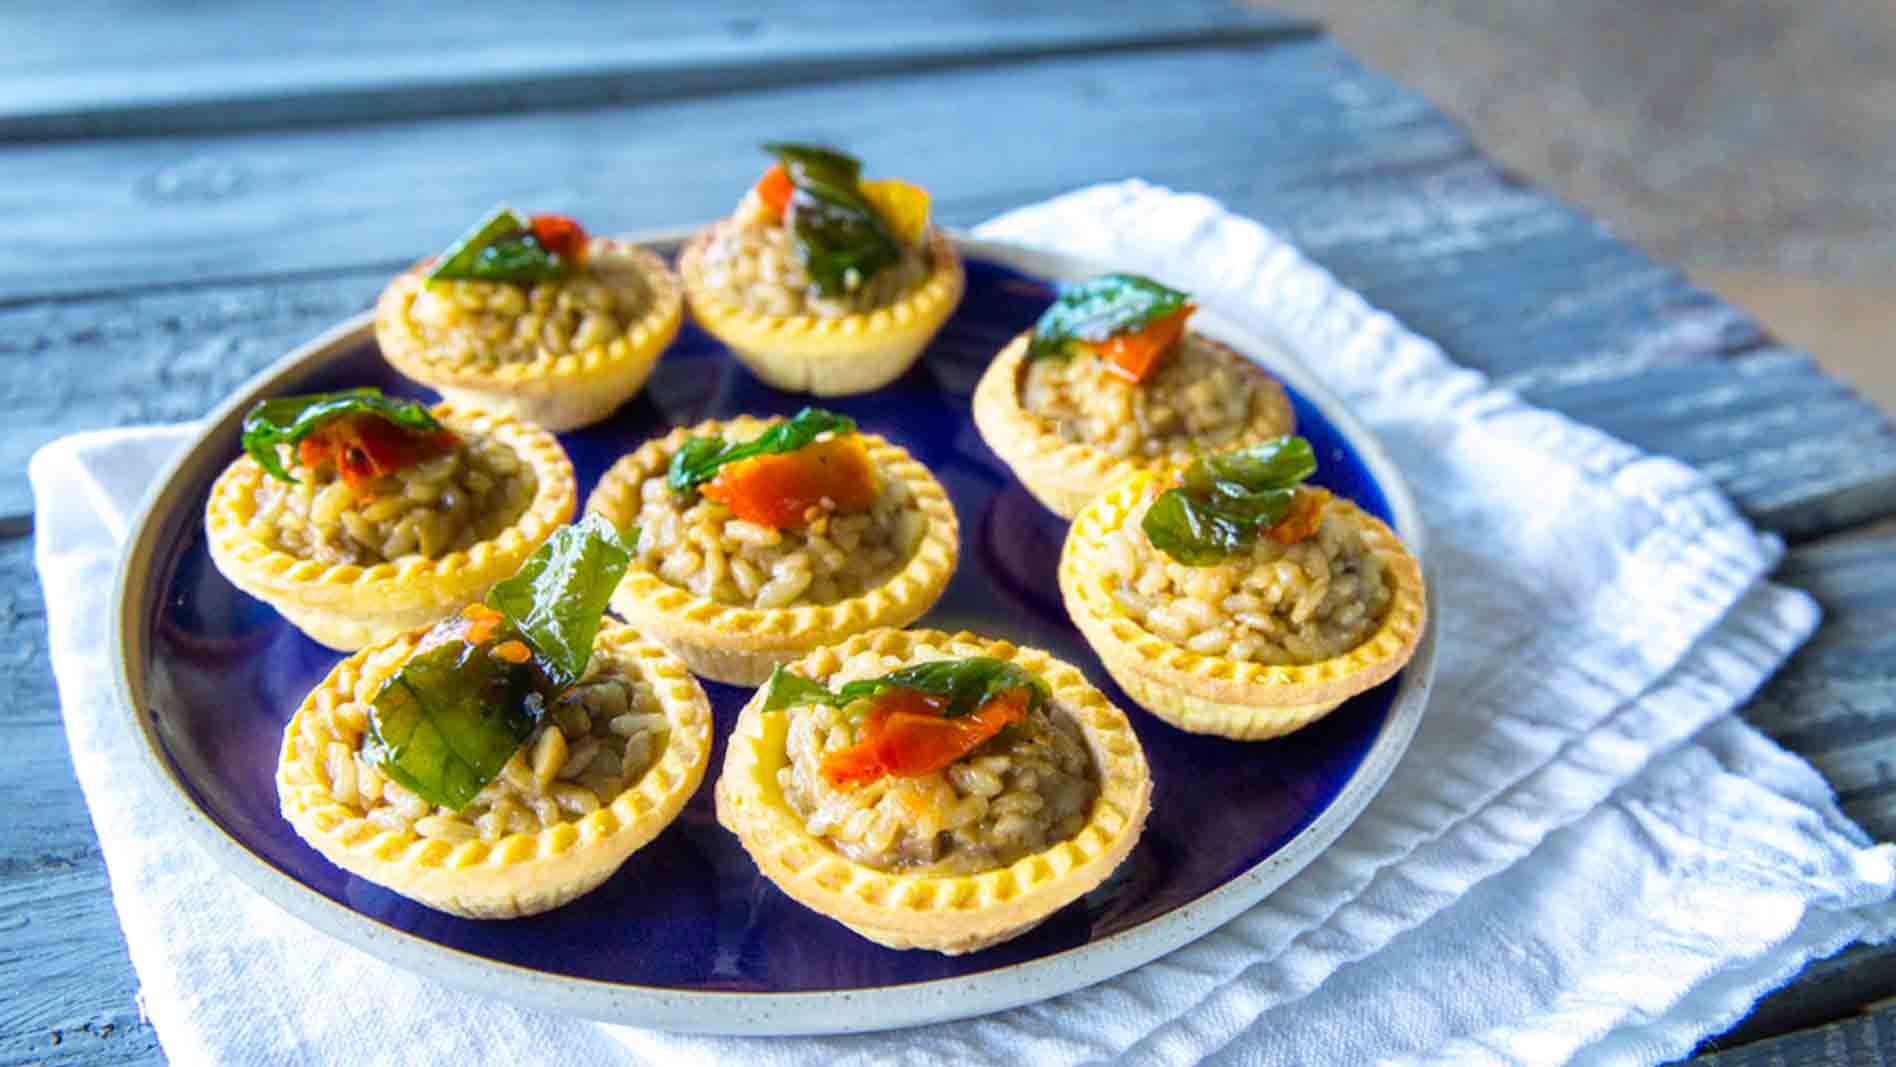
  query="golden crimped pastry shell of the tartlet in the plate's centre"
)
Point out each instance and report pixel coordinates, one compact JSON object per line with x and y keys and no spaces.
{"x":742,"y":645}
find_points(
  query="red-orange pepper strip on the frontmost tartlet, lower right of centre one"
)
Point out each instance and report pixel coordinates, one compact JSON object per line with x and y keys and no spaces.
{"x":905,"y":736}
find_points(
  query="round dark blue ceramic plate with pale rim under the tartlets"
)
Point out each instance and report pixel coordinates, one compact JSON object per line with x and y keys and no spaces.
{"x":687,"y":935}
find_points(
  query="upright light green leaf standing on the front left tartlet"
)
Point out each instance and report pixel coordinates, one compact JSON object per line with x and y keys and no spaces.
{"x":560,"y":594}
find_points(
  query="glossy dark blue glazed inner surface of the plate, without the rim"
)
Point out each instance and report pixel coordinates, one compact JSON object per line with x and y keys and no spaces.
{"x":689,"y":911}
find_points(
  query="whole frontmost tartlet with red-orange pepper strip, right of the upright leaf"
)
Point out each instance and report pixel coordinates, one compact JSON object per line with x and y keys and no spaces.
{"x":934,"y":791}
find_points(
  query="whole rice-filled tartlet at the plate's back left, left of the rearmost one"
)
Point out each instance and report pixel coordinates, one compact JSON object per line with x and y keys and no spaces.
{"x":532,"y":317}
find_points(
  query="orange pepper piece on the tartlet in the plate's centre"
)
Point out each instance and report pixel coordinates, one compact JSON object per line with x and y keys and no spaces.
{"x":780,"y":490}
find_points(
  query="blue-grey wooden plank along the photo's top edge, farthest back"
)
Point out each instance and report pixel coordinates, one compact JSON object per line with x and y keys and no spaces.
{"x":132,"y":69}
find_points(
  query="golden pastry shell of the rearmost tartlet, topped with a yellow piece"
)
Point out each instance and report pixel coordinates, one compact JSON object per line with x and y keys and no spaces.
{"x":829,"y":357}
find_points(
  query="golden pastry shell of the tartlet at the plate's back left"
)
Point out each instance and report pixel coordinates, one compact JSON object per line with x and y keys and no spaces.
{"x":556,"y":391}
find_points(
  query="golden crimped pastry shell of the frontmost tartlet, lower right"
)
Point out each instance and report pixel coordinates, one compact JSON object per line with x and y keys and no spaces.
{"x":941,"y":913}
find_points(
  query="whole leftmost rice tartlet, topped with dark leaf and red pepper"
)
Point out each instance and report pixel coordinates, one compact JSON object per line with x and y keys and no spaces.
{"x":359,"y":516}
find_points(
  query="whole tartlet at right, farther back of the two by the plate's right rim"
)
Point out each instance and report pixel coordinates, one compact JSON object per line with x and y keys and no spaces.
{"x":1112,"y":382}
